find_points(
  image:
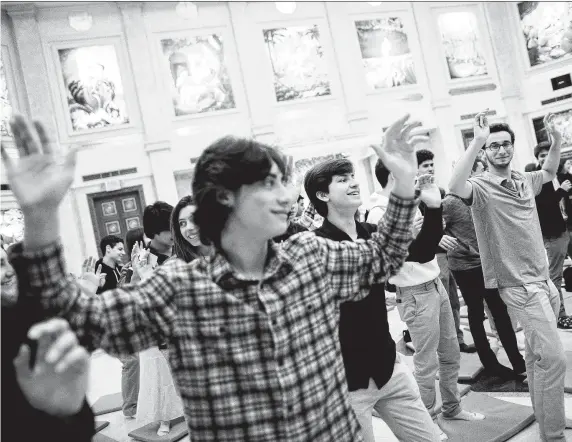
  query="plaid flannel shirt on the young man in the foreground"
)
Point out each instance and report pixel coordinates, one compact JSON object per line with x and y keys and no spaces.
{"x":253,"y":360}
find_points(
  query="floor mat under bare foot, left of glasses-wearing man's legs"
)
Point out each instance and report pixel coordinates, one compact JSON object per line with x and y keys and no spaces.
{"x":503,"y":420}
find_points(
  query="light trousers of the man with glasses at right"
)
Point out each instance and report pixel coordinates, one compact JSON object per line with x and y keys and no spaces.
{"x":536,"y":305}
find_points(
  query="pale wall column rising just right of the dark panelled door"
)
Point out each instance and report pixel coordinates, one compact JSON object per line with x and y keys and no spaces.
{"x":155,"y":119}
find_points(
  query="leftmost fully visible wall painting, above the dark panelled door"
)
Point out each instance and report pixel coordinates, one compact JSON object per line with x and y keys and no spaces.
{"x":93,"y":86}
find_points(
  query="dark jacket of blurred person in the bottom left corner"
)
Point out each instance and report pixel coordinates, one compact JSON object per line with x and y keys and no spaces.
{"x":20,"y":421}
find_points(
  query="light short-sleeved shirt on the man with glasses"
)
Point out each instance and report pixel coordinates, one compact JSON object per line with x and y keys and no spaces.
{"x":508,"y":231}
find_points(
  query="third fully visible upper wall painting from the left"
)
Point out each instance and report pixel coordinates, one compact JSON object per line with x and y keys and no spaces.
{"x":299,"y":67}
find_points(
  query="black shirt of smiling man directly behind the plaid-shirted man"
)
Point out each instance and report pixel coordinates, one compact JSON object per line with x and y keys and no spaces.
{"x":367,"y":347}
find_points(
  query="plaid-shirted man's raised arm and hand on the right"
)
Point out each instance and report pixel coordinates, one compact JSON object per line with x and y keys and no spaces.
{"x":352,"y":267}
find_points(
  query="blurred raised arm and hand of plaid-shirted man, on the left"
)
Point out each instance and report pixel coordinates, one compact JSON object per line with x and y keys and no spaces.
{"x":120,"y":321}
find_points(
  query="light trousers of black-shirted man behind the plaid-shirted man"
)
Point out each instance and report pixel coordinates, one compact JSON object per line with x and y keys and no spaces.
{"x":398,"y":403}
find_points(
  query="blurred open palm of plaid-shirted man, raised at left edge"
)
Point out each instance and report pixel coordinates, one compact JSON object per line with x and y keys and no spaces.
{"x":41,"y":176}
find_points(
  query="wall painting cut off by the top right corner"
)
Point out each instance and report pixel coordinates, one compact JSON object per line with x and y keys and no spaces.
{"x":547,"y":30}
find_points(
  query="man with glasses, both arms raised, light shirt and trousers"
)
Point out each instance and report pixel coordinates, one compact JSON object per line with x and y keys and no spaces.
{"x":514,"y":259}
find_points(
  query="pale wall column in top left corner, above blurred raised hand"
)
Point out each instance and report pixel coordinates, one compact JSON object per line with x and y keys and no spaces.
{"x":34,"y":69}
